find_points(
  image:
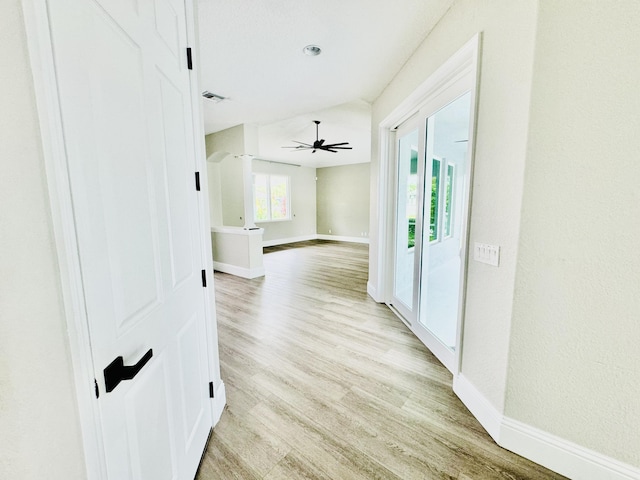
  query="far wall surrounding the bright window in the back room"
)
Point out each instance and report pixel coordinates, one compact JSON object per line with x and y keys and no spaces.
{"x":303,"y":202}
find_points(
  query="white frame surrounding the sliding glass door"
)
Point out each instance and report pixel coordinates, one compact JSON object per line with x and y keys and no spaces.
{"x":431,"y":93}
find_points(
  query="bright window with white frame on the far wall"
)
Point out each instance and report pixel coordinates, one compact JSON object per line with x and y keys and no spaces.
{"x":271,"y":197}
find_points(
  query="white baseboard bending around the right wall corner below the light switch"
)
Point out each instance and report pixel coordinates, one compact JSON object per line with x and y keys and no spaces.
{"x":555,"y":453}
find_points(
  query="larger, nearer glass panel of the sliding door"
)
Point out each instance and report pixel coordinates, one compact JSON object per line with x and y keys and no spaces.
{"x":441,"y":269}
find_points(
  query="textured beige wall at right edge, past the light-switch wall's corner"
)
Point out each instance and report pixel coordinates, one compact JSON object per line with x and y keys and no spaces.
{"x":574,"y":357}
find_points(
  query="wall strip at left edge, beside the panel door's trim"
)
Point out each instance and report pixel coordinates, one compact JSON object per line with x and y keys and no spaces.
{"x":39,"y":428}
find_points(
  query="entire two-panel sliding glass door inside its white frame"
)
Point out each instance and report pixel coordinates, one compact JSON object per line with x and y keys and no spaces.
{"x":432,"y":194}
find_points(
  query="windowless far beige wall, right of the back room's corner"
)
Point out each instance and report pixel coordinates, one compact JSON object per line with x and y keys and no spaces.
{"x":343,"y":200}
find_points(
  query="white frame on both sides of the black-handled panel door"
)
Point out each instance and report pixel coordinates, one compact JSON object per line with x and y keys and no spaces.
{"x":40,"y":51}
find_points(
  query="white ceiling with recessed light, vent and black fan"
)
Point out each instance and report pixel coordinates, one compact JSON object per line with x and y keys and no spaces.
{"x":251,"y":52}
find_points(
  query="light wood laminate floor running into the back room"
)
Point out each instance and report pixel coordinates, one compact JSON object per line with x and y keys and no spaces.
{"x":324,"y":383}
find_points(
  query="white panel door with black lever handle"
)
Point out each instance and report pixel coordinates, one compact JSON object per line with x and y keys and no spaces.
{"x":126,"y":112}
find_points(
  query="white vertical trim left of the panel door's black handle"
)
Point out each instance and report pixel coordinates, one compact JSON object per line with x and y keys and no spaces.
{"x":47,"y":102}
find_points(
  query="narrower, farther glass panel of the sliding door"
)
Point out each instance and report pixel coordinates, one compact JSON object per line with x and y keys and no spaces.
{"x":405,"y":222}
